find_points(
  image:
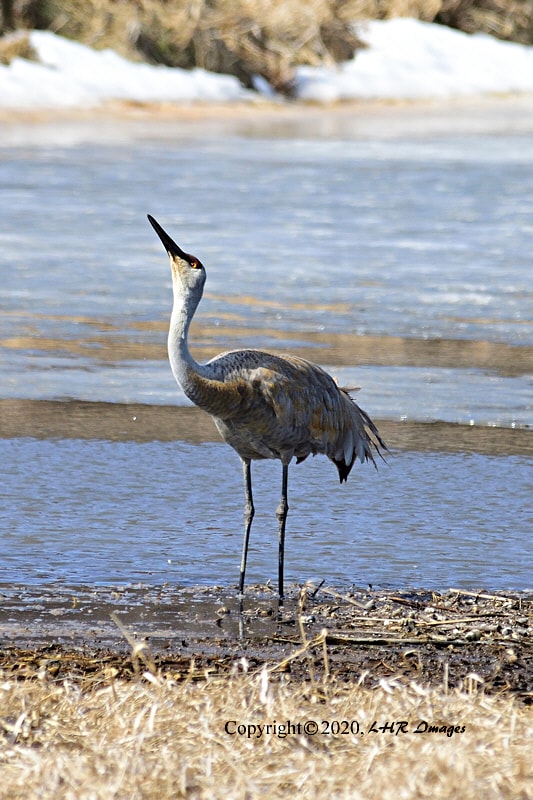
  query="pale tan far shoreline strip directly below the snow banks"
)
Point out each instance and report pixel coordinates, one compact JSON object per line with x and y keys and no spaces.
{"x":122,"y":122}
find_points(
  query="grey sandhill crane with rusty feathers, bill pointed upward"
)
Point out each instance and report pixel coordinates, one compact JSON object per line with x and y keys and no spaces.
{"x":264,"y":405}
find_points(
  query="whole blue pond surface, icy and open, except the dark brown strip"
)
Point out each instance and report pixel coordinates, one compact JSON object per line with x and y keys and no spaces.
{"x":403,"y":265}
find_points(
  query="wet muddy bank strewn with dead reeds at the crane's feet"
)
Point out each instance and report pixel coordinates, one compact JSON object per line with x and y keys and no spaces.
{"x":457,"y":638}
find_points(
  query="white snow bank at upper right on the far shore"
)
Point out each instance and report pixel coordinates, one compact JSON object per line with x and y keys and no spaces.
{"x":409,"y":59}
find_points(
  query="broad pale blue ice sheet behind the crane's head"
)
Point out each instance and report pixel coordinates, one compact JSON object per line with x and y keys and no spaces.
{"x":416,"y":239}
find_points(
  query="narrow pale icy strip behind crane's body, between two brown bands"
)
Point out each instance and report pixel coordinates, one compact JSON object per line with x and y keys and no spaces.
{"x":414,"y":393}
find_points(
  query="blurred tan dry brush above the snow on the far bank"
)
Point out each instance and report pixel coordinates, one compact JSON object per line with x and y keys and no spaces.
{"x":245,"y":38}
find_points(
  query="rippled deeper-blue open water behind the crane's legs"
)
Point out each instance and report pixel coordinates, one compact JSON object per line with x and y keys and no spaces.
{"x":109,"y":513}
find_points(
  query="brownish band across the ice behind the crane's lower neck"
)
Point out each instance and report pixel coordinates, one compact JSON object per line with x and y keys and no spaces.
{"x":112,"y":344}
